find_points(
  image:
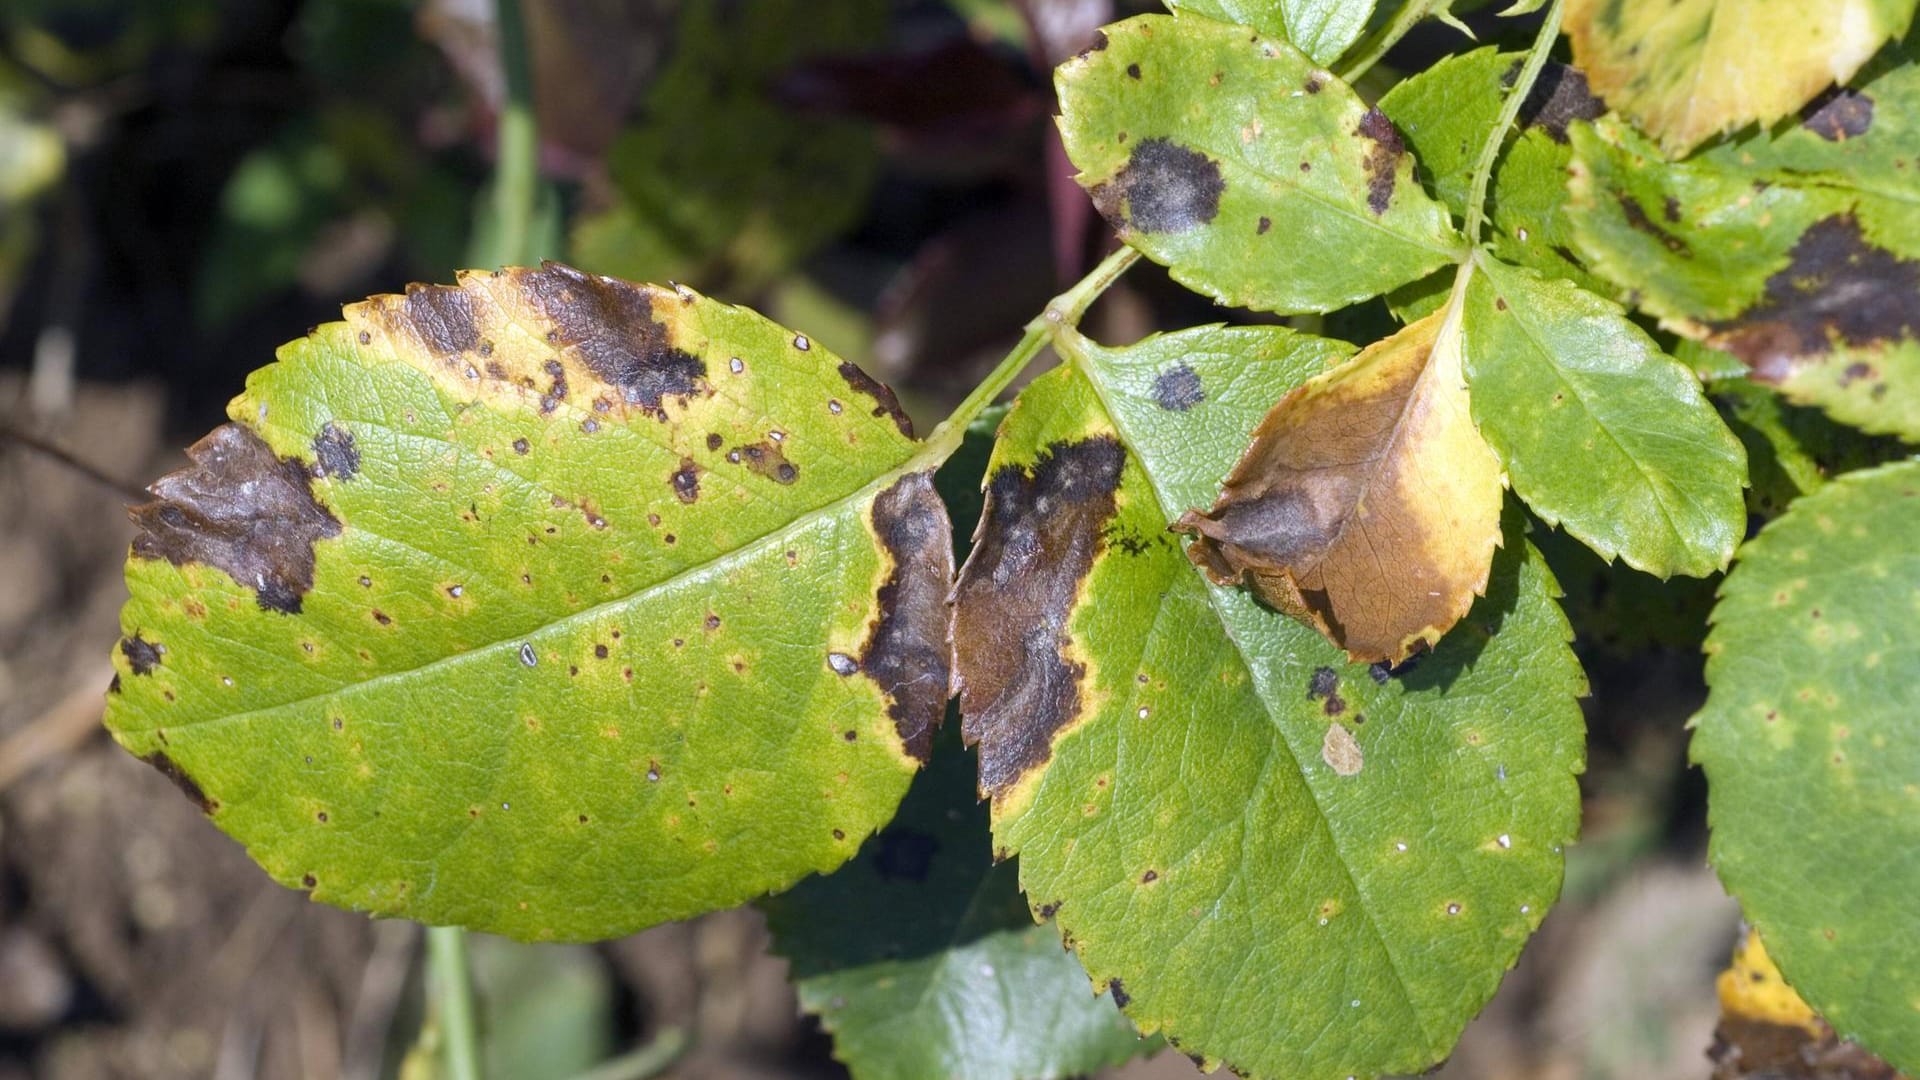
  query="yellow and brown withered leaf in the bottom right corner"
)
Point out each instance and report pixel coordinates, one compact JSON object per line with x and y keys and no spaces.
{"x":1767,"y":1033}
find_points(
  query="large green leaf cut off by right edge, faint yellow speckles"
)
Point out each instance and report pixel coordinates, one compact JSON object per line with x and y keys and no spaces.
{"x":1812,"y":752}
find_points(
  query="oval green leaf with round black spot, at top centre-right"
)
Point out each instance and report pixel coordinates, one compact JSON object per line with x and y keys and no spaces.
{"x":1259,"y":178}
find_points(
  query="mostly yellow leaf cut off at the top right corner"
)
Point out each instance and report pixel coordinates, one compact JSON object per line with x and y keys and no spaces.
{"x":1689,"y":70}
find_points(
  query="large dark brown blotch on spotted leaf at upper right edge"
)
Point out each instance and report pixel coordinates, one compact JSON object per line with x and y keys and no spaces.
{"x":1836,"y":289}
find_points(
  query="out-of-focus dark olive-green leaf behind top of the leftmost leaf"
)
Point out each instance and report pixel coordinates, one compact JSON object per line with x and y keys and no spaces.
{"x":721,"y":182}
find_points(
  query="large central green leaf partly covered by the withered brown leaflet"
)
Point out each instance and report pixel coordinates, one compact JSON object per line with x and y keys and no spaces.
{"x":1295,"y":864}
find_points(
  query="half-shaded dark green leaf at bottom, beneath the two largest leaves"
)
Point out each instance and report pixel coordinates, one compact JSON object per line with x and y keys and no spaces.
{"x":921,"y":958}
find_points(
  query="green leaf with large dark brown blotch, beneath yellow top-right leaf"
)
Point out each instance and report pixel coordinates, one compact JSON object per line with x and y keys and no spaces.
{"x":1794,"y":253}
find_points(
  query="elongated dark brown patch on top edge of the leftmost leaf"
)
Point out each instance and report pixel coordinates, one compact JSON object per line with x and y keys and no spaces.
{"x":610,"y":326}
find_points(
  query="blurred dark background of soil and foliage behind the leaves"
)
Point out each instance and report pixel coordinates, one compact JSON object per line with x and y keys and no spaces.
{"x":189,"y":184}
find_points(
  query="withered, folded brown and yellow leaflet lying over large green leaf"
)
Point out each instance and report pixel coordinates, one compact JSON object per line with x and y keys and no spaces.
{"x":1368,"y":503}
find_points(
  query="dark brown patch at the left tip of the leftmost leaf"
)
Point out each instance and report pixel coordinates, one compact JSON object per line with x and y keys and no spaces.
{"x":241,"y":510}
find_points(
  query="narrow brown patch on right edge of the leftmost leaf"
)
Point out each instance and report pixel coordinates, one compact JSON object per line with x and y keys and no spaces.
{"x":907,"y":650}
